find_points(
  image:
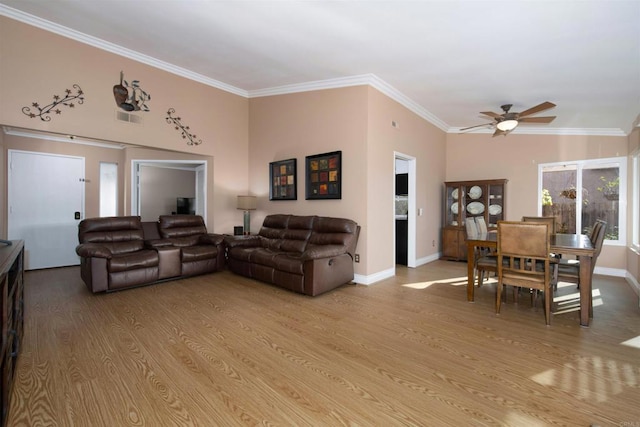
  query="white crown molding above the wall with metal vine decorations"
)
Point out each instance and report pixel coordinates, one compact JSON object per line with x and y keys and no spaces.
{"x":118,"y":50}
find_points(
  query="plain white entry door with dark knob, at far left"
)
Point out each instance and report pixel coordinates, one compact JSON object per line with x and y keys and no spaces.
{"x":46,"y":203}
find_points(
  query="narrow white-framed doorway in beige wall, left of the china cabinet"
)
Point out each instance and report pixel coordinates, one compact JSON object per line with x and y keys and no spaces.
{"x":404,"y":209}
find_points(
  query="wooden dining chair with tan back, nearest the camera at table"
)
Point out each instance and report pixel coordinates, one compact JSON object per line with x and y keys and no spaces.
{"x":524,"y":259}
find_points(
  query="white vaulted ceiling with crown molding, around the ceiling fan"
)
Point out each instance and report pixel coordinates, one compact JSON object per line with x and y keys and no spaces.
{"x":446,"y":60}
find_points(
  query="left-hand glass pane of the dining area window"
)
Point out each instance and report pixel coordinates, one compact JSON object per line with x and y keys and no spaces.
{"x":559,"y":196}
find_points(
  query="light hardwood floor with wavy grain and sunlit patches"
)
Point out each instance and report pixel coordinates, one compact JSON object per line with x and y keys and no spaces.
{"x":222,"y":350}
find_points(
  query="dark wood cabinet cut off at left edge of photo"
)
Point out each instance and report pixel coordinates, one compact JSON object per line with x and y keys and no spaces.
{"x":12,"y":293}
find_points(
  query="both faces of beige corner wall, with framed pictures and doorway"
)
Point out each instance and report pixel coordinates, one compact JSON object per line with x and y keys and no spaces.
{"x":357,"y":121}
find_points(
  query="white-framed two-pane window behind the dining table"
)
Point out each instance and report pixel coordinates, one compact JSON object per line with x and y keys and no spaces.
{"x":602,"y":193}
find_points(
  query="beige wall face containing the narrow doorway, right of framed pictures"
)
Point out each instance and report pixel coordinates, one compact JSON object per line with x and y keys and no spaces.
{"x":413,"y":137}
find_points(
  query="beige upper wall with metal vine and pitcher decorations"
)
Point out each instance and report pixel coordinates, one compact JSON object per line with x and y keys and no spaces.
{"x":35,"y":65}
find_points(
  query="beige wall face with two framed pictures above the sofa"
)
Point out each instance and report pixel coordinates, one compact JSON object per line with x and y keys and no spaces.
{"x":303,"y":124}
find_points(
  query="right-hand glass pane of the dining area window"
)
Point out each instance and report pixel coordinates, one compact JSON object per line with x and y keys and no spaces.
{"x":601,"y":184}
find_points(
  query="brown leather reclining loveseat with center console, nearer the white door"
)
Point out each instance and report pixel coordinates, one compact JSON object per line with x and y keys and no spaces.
{"x":122,"y":252}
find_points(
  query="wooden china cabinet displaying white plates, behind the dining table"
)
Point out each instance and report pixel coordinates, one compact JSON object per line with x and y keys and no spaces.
{"x":470,"y":199}
